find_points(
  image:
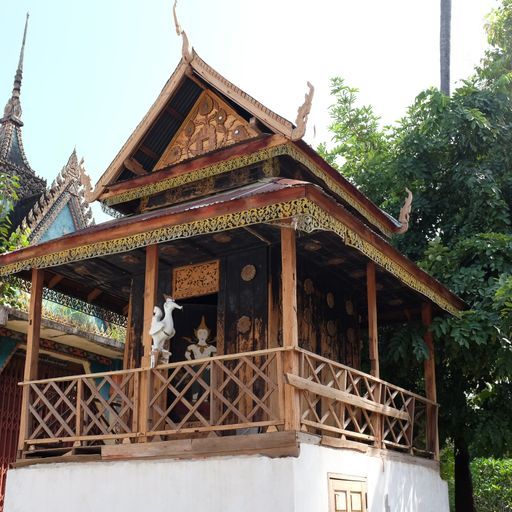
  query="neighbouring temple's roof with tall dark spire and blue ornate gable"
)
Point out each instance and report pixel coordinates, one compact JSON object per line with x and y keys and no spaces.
{"x":46,"y":212}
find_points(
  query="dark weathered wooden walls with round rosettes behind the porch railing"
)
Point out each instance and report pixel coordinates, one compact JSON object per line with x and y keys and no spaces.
{"x":249,"y":315}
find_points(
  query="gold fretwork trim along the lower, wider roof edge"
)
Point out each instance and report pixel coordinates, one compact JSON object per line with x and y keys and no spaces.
{"x":307,"y":214}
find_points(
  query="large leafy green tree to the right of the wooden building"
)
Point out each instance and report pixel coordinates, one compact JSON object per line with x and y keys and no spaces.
{"x":454,"y":154}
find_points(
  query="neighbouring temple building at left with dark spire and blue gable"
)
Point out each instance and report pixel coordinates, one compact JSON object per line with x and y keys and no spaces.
{"x":68,"y":344}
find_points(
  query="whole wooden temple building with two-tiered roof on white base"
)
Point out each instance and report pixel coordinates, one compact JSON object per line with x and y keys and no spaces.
{"x":272,"y":396}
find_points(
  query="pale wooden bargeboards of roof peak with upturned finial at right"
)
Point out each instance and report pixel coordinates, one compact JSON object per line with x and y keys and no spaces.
{"x":188,"y":67}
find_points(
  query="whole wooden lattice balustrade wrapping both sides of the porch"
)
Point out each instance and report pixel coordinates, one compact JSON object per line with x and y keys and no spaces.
{"x":241,"y":393}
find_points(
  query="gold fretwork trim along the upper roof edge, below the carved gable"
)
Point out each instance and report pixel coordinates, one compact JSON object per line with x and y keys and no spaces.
{"x":225,"y":166}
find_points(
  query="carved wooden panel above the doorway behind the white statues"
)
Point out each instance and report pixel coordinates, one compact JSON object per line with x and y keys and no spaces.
{"x":195,"y":280}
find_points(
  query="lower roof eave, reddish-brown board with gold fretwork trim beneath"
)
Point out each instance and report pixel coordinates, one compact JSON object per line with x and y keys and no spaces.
{"x":277,"y":199}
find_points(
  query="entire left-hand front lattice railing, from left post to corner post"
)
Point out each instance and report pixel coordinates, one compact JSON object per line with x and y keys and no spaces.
{"x":235,"y":392}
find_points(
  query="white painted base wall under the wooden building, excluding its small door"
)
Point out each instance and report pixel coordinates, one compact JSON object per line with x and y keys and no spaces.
{"x":228,"y":484}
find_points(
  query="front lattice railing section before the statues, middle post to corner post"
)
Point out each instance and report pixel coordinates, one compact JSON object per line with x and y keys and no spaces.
{"x":240,"y":391}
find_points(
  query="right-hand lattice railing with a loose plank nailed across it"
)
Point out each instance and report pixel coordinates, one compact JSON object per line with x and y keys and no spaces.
{"x":341,"y":402}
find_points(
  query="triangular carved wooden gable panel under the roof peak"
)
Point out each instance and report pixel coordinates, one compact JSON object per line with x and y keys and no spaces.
{"x":210,"y":125}
